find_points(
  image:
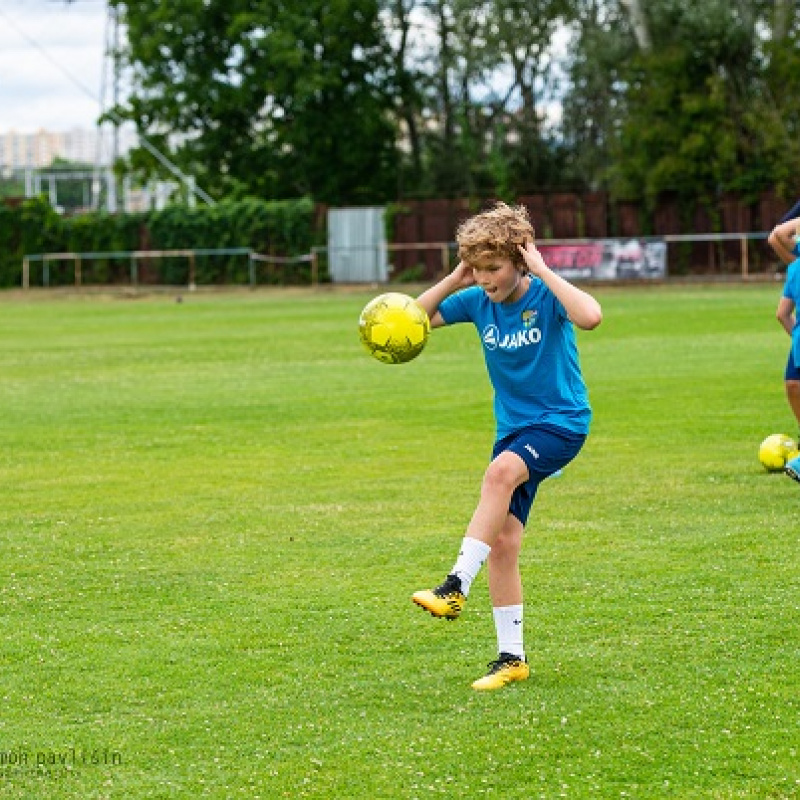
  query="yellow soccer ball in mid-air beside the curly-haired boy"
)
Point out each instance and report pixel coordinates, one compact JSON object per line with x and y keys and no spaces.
{"x":394,"y":328}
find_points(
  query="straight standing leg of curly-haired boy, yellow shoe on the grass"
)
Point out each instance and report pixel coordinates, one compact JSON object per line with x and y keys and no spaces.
{"x":505,"y":589}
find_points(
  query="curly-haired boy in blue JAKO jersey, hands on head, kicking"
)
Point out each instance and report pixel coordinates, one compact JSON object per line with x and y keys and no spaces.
{"x":524,"y":313}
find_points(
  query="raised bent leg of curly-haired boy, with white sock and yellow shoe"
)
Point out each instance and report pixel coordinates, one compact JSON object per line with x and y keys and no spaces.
{"x":502,"y":476}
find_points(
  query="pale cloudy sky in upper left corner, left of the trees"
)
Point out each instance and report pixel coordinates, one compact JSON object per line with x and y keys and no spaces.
{"x":51,"y":64}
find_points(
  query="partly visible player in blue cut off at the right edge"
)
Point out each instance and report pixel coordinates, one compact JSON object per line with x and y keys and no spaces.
{"x":783,"y":240}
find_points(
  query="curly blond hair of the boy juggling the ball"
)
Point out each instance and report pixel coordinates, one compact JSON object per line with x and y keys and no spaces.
{"x":495,"y":233}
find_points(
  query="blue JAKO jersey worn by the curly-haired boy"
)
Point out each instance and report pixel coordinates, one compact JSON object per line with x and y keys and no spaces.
{"x":531,"y":357}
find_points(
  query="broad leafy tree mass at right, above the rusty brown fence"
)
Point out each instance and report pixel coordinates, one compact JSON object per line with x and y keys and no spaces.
{"x":677,"y":96}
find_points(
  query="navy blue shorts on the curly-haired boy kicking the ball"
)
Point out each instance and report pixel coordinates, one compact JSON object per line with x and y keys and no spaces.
{"x":545,"y":449}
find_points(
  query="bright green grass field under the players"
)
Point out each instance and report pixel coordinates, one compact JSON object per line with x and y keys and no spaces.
{"x":215,"y":512}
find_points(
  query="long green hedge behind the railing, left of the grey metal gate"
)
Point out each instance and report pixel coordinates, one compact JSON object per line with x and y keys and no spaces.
{"x":281,"y":228}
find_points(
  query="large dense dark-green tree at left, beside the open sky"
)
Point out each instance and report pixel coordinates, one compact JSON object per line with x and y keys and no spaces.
{"x":265,"y":97}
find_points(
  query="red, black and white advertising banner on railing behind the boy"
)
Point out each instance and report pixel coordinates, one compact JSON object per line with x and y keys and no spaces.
{"x":608,"y":259}
